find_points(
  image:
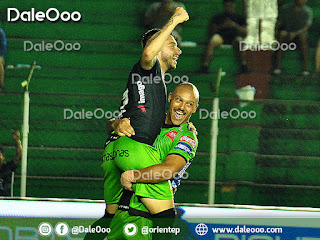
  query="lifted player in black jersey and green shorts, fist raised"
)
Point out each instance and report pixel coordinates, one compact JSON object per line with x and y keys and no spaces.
{"x":145,"y":105}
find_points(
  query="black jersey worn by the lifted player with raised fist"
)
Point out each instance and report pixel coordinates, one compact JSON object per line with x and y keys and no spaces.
{"x":144,"y":102}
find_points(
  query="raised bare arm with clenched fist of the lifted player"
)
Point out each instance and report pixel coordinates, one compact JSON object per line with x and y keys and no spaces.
{"x":157,"y":41}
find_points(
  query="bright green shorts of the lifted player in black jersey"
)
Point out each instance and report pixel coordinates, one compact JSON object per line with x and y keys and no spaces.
{"x":126,"y":154}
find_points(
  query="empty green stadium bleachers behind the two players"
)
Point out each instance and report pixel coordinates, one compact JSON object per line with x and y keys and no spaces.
{"x":273,"y":159}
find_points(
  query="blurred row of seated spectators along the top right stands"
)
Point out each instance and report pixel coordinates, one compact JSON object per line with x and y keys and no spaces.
{"x":259,"y":22}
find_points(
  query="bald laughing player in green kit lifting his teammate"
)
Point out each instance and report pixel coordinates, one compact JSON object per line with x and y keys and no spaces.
{"x":177,"y":146}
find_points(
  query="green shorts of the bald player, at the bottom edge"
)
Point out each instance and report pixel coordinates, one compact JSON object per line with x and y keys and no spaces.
{"x":135,"y":230}
